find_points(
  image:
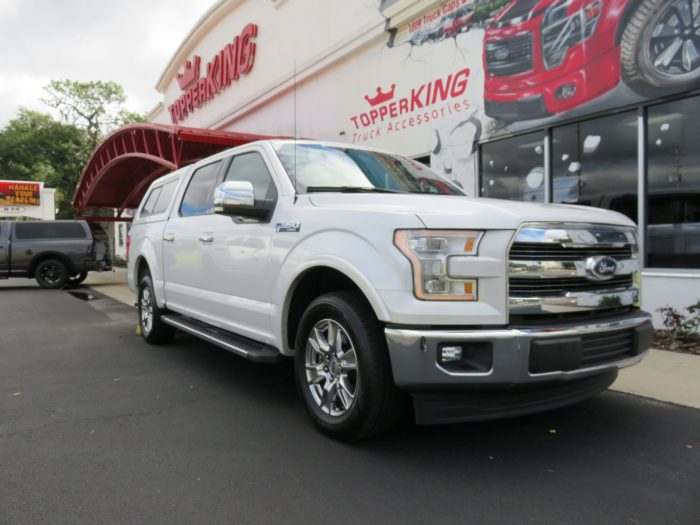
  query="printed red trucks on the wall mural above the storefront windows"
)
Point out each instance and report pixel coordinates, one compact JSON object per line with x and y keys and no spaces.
{"x":543,"y":58}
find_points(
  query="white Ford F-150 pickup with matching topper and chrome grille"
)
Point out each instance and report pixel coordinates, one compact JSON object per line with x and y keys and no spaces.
{"x":382,"y":280}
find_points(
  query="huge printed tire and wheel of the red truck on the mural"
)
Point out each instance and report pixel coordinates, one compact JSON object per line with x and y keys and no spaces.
{"x":640,"y":49}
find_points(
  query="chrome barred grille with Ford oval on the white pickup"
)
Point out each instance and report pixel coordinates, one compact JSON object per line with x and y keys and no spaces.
{"x":554,"y":269}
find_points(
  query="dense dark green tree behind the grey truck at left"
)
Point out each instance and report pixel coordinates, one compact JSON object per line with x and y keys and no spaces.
{"x":36,"y":147}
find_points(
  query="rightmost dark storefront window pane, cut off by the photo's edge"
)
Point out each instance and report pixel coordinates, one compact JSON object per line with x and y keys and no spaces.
{"x":673,"y":201}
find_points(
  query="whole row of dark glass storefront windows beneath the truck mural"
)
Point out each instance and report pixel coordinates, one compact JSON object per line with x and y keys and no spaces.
{"x":595,"y":162}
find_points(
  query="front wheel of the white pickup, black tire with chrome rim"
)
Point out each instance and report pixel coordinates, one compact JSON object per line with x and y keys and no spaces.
{"x":376,"y":403}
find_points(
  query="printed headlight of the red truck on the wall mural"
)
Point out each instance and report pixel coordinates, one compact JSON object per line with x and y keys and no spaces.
{"x":560,"y":30}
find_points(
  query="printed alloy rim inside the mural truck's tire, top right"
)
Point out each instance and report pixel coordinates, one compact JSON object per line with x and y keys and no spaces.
{"x":674,"y":46}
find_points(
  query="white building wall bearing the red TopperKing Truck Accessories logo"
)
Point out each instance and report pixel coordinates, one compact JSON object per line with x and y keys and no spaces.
{"x":315,"y":63}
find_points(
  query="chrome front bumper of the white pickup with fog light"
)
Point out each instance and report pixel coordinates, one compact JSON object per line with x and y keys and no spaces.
{"x":416,"y":364}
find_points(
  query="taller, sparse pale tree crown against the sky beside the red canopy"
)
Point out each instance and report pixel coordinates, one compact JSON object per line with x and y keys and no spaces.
{"x":96,"y":106}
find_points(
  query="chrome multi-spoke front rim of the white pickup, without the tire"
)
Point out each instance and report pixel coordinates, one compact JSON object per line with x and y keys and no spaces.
{"x":331,"y":367}
